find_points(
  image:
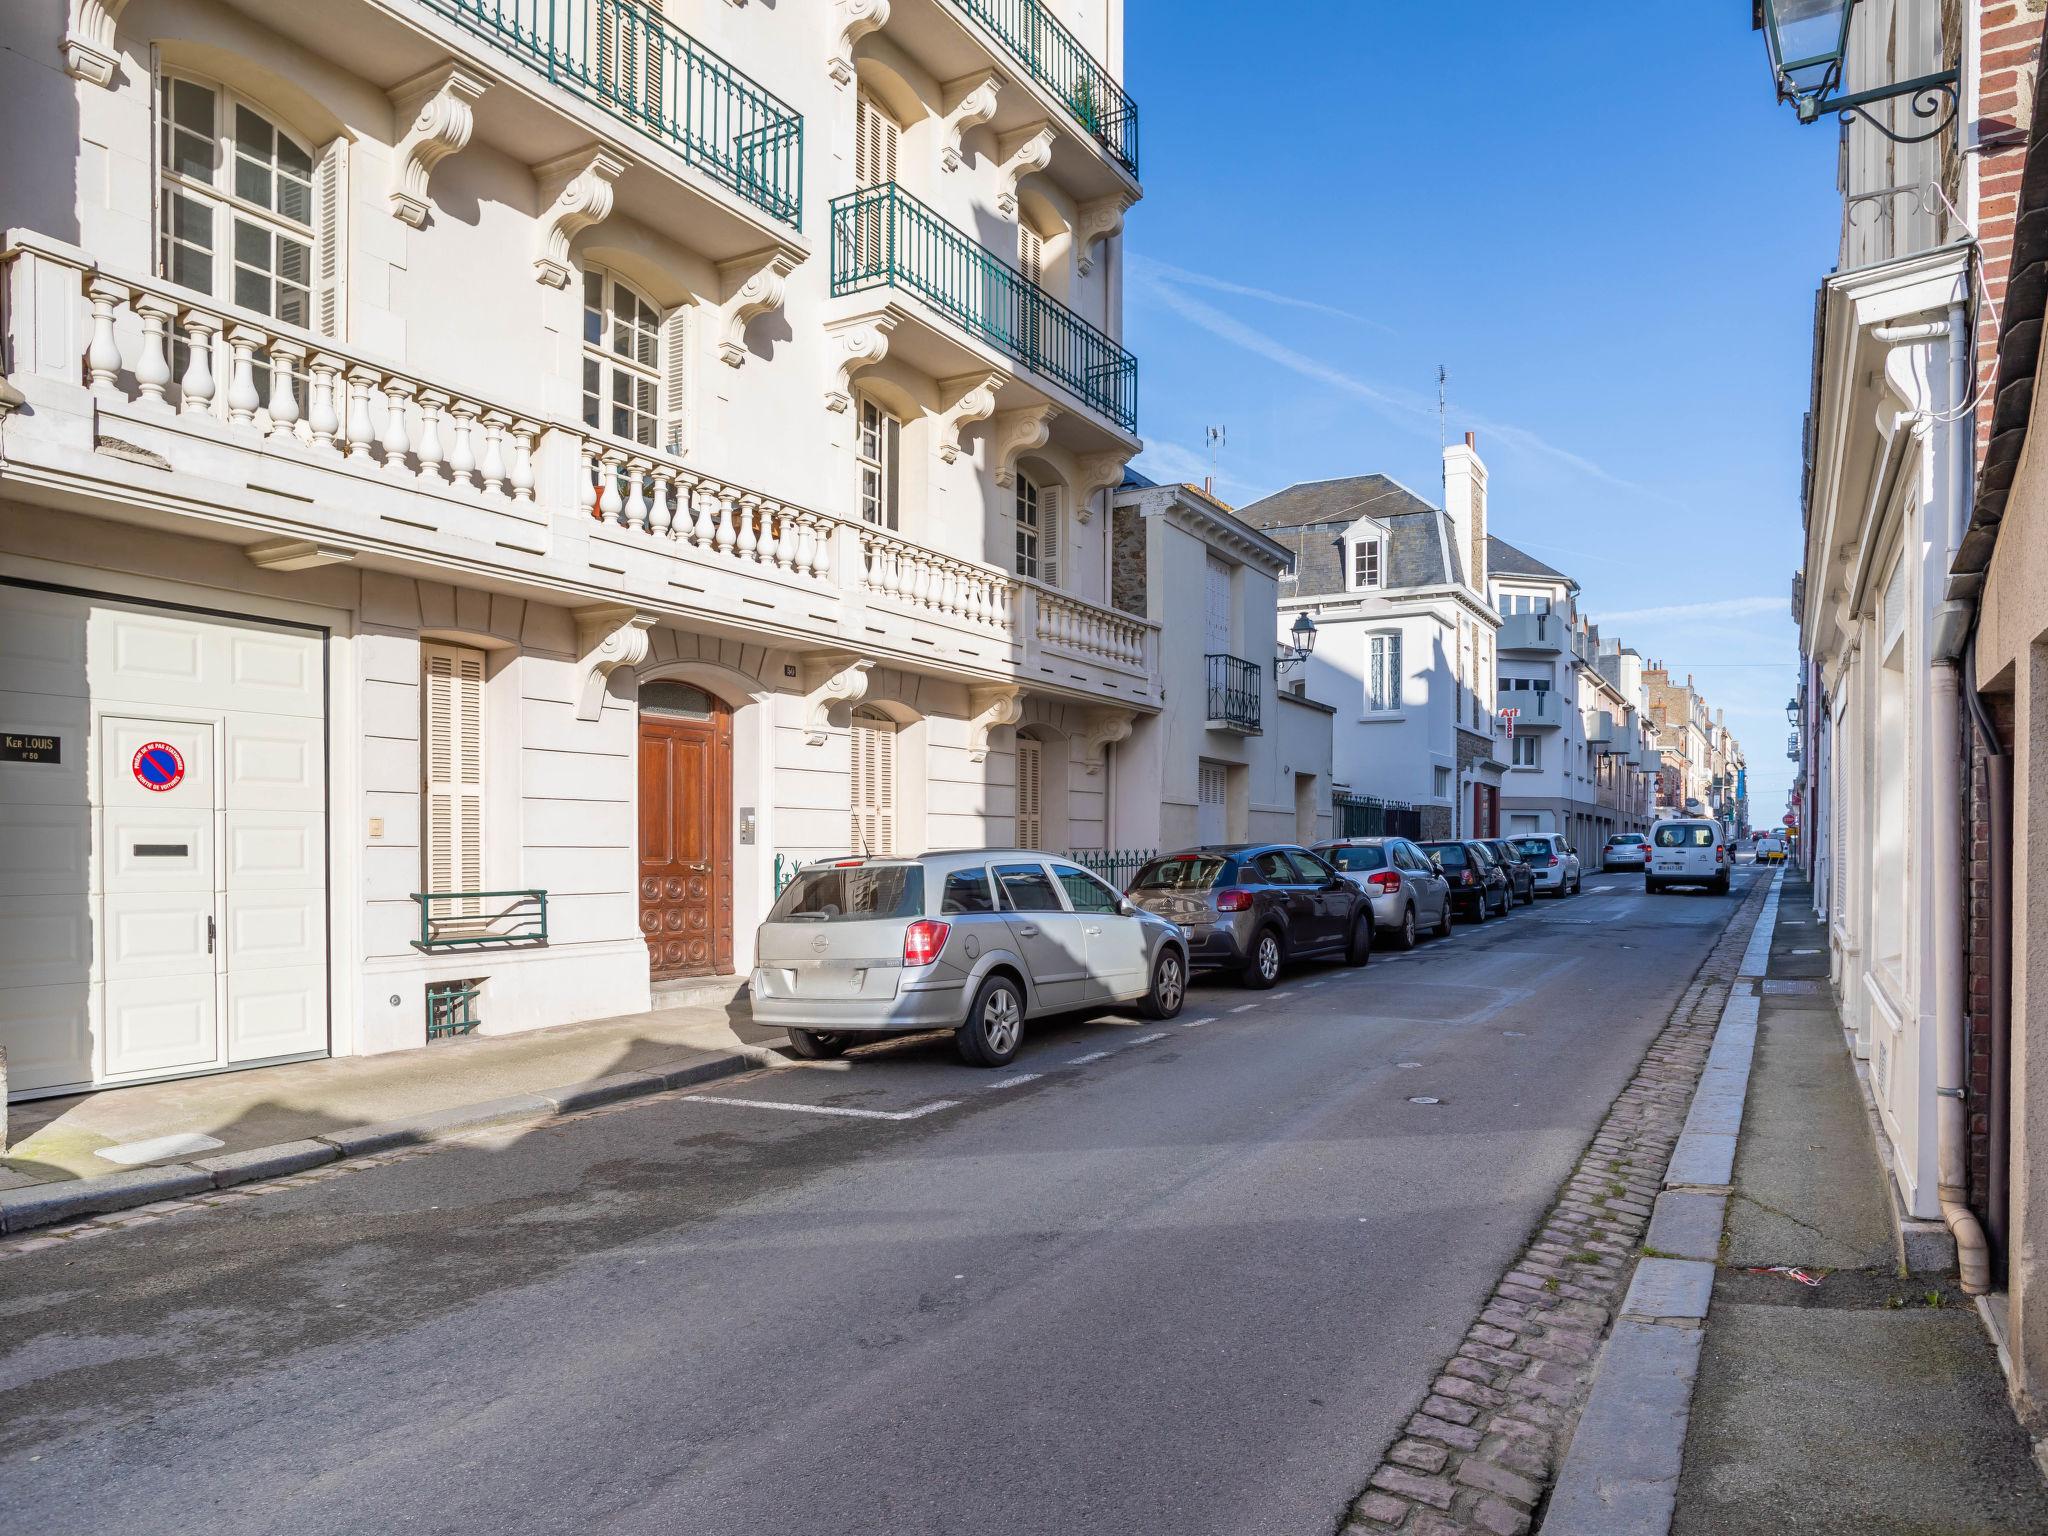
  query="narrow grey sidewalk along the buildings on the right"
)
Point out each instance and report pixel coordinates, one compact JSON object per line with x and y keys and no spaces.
{"x":1871,"y":1402}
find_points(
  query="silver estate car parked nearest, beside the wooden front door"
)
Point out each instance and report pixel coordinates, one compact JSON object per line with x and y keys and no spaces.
{"x":976,"y":943}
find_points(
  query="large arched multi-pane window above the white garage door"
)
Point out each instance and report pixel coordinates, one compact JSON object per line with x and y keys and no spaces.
{"x":243,"y":204}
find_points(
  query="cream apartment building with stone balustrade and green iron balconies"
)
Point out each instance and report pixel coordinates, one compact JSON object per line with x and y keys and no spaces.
{"x":488,"y":482}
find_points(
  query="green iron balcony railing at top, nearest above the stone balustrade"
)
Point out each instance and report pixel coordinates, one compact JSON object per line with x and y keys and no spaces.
{"x":648,"y":73}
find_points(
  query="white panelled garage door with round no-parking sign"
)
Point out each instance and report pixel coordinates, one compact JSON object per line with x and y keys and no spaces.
{"x":163,"y":843}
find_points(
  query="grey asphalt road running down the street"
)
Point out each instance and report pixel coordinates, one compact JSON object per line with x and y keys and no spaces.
{"x":1191,"y":1285}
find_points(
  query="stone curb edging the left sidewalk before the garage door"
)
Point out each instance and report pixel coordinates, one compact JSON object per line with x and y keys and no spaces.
{"x":46,"y":1205}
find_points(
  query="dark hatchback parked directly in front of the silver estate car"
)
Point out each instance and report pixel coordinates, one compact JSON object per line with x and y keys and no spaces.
{"x":1252,"y":908}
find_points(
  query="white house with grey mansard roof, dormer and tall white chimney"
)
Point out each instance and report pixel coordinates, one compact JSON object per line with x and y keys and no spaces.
{"x":1406,"y":652}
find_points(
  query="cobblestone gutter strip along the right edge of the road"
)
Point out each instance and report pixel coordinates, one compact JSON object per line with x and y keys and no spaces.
{"x":1484,"y":1445}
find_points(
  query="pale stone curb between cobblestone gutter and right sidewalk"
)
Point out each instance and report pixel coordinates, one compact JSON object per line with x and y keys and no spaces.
{"x":1621,"y":1474}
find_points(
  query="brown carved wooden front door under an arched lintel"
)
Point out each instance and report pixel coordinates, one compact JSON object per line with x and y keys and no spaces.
{"x":687,"y":820}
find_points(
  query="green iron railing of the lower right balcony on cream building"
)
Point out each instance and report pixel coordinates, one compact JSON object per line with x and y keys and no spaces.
{"x":884,"y":237}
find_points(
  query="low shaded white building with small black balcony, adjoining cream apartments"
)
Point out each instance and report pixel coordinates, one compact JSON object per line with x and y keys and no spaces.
{"x":1236,"y":753}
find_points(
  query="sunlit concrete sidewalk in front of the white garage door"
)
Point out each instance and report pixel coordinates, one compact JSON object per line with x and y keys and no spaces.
{"x":62,"y":1140}
